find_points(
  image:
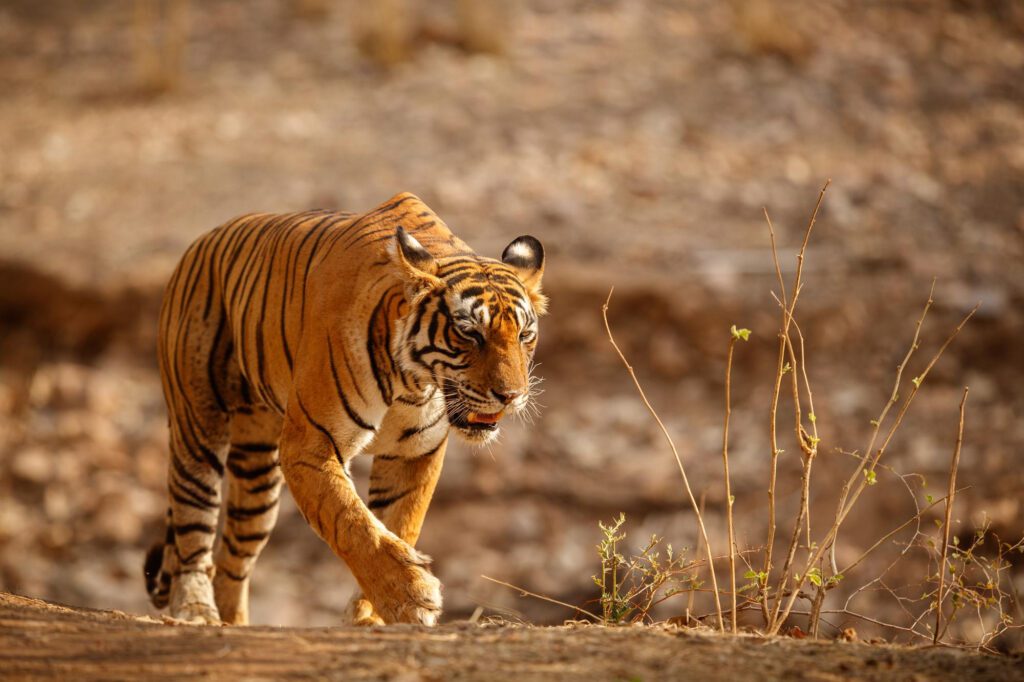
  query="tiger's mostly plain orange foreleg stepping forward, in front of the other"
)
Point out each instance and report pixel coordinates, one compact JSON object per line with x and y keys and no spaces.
{"x":393,"y":575}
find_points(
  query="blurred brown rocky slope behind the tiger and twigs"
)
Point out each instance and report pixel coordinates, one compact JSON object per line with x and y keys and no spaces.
{"x":639,"y":142}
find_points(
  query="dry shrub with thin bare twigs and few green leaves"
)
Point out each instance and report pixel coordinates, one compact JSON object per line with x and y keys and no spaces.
{"x":957,"y":578}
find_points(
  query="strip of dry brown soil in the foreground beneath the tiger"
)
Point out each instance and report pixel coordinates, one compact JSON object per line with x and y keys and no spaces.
{"x":48,"y":642}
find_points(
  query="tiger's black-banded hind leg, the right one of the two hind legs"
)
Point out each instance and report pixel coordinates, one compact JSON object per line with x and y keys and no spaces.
{"x":253,"y":493}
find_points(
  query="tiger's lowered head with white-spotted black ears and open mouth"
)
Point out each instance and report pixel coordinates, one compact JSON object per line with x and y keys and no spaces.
{"x":473,"y":330}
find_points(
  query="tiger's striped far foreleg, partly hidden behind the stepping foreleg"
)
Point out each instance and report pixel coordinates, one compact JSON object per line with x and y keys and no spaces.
{"x":401,"y":490}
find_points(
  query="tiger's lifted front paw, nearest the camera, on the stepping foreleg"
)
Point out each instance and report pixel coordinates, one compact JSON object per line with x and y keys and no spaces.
{"x":406,"y":591}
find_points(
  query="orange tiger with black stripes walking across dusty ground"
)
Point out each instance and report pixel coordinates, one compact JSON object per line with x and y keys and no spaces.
{"x":291,"y":344}
